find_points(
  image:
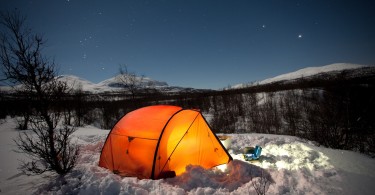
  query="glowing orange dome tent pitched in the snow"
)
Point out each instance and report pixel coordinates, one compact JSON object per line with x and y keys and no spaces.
{"x":156,"y":141}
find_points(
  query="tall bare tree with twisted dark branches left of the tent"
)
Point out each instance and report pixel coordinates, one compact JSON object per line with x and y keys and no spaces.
{"x":49,"y":146}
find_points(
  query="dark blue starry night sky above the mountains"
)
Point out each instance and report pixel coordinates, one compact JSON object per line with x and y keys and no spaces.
{"x":200,"y":43}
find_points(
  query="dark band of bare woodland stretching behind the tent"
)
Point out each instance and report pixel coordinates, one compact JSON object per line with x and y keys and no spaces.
{"x":337,"y":113}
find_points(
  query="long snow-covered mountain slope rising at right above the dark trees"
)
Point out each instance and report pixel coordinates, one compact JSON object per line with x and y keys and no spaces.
{"x":353,"y":70}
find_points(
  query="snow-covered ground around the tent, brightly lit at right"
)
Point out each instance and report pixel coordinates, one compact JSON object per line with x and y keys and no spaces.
{"x":293,"y":165}
